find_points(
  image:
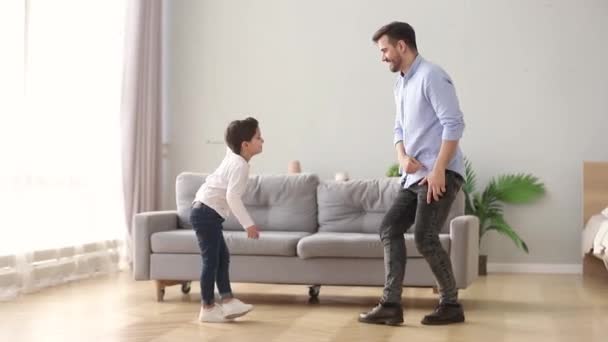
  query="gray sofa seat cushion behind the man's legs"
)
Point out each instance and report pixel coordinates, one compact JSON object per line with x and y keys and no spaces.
{"x":354,"y":245}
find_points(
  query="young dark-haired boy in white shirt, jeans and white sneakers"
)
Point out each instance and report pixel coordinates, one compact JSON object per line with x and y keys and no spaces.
{"x":217,"y":197}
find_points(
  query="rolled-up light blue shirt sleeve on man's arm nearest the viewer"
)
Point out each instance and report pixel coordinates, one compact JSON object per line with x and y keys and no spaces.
{"x":440,"y":92}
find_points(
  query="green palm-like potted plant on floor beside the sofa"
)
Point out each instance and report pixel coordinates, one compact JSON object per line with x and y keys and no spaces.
{"x":488,"y":205}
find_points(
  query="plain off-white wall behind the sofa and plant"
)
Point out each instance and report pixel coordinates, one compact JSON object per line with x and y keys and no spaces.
{"x":531,"y":76}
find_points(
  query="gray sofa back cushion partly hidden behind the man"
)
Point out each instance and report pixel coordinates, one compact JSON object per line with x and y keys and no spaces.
{"x":359,"y":206}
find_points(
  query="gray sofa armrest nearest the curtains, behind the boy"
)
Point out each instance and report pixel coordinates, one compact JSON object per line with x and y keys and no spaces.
{"x":144,"y":225}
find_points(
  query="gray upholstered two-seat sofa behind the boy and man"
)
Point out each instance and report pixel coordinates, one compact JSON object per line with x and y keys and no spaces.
{"x":312,"y":232}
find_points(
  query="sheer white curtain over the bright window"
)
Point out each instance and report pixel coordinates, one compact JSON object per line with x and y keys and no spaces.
{"x":61,"y":201}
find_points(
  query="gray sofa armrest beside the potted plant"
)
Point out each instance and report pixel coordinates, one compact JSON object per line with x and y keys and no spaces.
{"x":464,"y":249}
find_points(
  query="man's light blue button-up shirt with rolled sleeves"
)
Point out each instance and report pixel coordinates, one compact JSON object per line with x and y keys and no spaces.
{"x":427,"y":113}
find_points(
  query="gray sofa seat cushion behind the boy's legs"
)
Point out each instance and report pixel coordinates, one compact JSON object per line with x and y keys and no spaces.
{"x":183,"y":241}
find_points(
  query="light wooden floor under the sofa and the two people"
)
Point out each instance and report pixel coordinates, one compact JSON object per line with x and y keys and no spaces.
{"x":498,"y":308}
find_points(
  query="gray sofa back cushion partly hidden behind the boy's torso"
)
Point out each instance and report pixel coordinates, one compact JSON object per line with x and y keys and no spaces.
{"x":275,"y":203}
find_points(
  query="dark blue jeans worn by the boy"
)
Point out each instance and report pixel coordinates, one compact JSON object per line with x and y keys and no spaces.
{"x":207,"y":224}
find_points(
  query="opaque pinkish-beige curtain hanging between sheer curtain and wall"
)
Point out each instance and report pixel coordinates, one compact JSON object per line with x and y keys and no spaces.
{"x":141,"y":110}
